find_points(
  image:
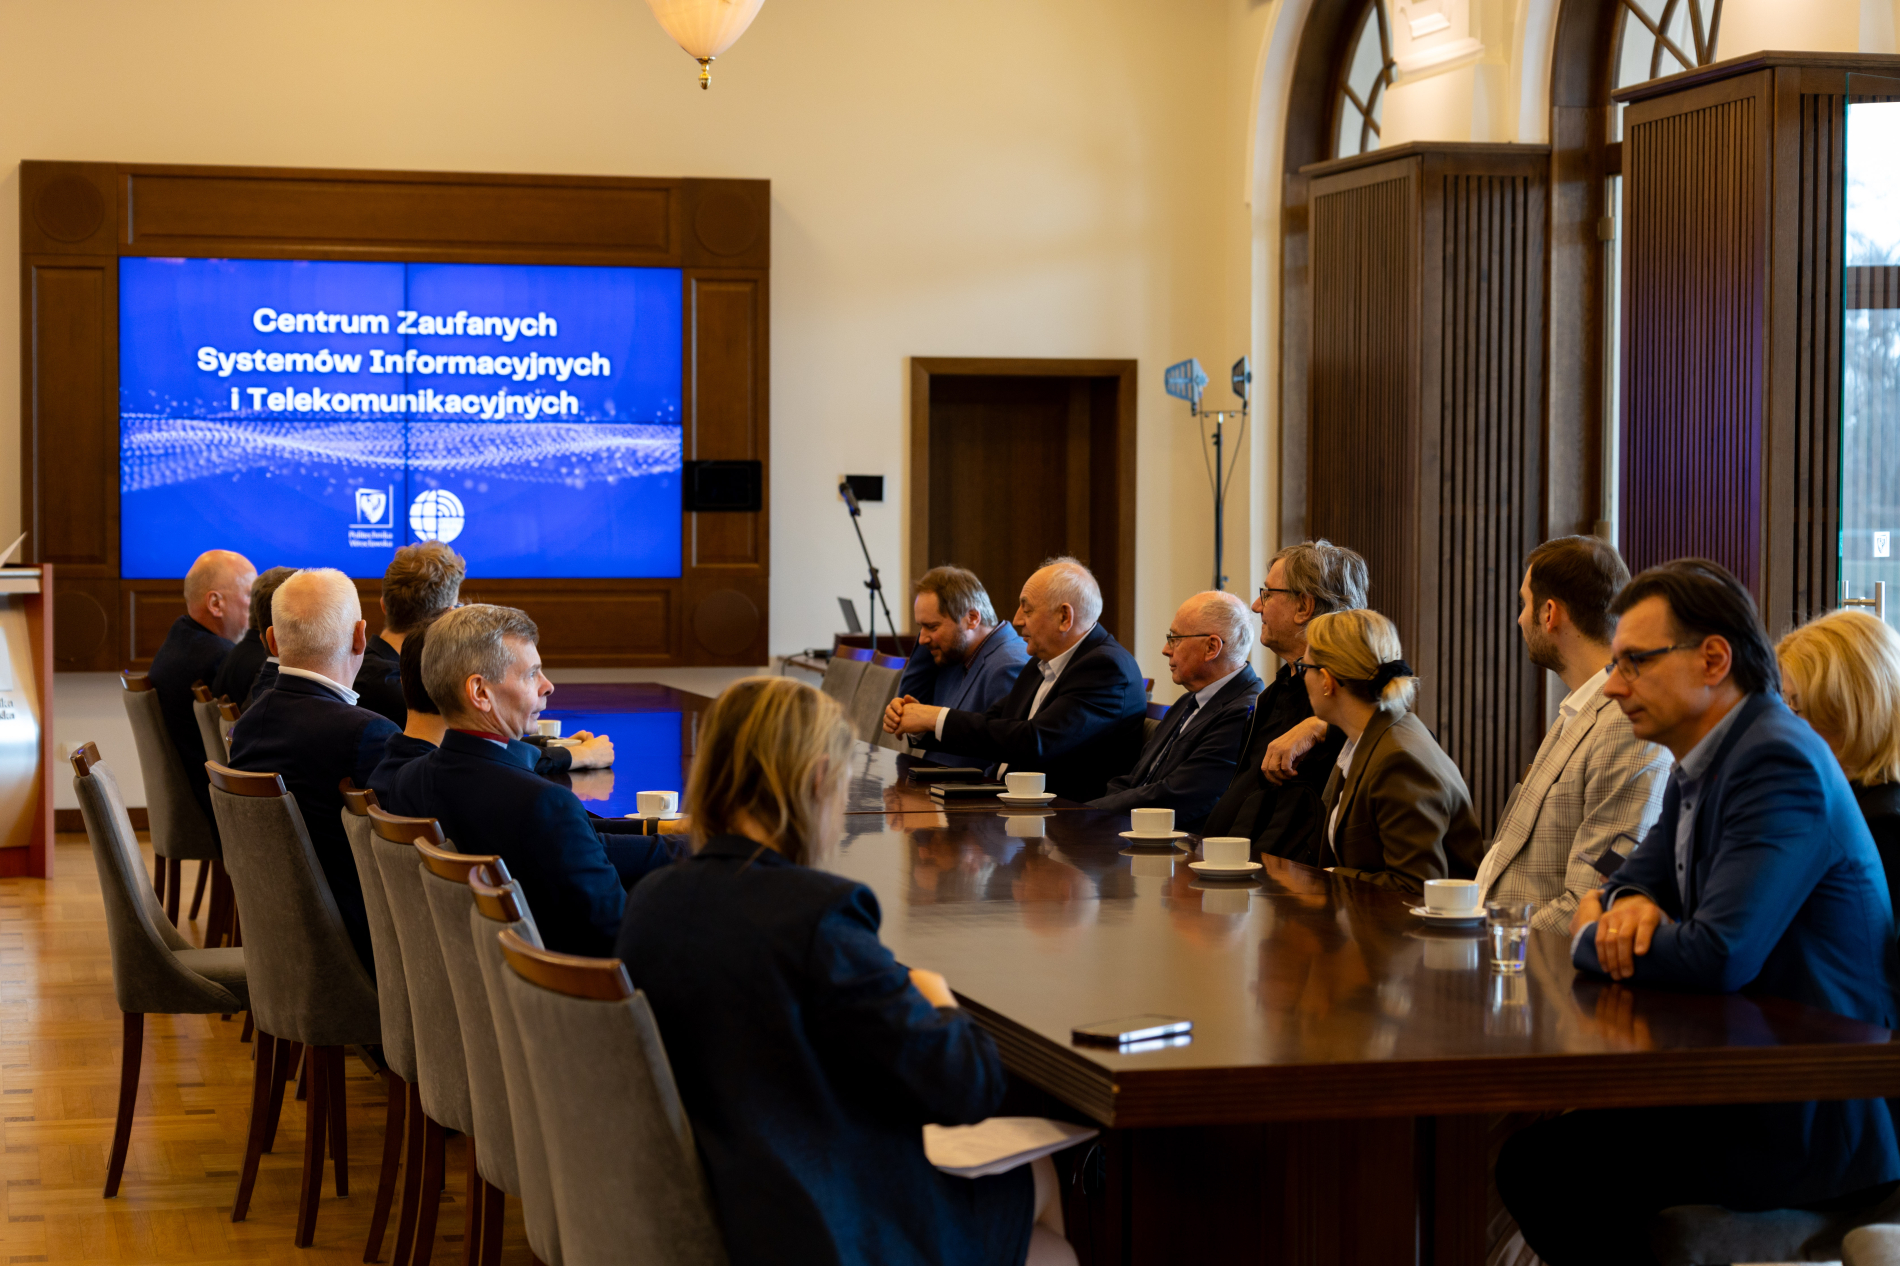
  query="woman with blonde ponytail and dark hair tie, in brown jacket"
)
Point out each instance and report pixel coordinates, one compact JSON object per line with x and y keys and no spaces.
{"x":1397,"y":809}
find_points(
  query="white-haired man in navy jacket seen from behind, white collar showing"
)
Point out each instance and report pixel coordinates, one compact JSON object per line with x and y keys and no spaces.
{"x":309,"y":727}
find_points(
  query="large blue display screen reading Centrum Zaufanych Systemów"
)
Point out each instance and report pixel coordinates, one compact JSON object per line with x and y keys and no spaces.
{"x":324,"y":413}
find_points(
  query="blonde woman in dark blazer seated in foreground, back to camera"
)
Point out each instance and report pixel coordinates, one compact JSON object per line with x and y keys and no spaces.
{"x":808,"y":1058}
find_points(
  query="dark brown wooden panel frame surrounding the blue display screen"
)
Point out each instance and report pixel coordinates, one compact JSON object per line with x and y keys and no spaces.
{"x":79,"y":220}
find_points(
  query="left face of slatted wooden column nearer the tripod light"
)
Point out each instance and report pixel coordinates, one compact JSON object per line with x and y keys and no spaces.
{"x":1363,"y":381}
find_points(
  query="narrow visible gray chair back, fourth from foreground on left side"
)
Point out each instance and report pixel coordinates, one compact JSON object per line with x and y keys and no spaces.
{"x":442,"y":1071}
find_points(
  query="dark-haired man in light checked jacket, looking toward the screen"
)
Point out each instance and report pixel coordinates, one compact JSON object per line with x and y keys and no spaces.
{"x":1595,"y":788}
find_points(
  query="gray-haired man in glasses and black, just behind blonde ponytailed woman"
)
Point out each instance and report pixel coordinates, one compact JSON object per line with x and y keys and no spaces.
{"x":1283,"y":813}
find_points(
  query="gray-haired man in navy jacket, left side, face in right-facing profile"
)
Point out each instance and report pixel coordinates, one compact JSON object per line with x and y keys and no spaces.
{"x":484,"y":670}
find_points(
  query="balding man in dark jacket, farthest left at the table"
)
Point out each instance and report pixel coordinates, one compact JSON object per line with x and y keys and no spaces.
{"x":218,"y":607}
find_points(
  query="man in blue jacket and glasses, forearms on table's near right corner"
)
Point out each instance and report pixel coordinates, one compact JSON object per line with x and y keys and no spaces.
{"x":1758,"y":877}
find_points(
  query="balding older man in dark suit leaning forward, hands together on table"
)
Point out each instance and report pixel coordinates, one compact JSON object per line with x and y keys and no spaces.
{"x":1076,"y":710}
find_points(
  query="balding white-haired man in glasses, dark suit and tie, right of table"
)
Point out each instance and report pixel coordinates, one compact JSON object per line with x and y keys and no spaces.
{"x":1188,"y":759}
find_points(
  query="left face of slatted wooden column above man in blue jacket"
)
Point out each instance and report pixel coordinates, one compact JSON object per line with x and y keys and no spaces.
{"x":1694,"y":288}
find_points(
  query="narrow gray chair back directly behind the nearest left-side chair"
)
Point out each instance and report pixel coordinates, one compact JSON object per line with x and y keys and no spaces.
{"x":501,"y":908}
